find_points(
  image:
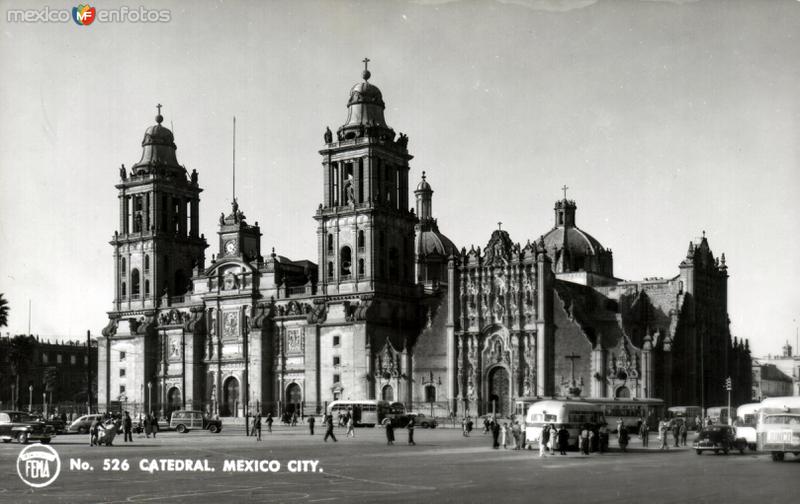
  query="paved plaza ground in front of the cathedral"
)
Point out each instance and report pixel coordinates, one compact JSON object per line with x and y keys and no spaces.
{"x":443,"y":467}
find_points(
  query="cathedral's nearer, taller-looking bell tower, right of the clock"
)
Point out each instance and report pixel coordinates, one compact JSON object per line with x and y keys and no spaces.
{"x":365,"y":227}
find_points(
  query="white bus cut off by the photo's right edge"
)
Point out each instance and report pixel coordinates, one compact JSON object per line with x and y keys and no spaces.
{"x":778,"y":428}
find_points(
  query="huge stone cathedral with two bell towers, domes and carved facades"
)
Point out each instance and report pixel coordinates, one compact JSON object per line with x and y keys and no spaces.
{"x":392,"y":309}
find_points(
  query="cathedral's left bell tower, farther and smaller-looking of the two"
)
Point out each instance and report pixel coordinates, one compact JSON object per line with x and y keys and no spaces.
{"x":157,"y":246}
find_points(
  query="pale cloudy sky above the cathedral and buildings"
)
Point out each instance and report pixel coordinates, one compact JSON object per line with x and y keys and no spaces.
{"x":664,"y":118}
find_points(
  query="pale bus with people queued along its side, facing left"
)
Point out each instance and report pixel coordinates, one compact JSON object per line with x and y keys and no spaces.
{"x":573,"y":415}
